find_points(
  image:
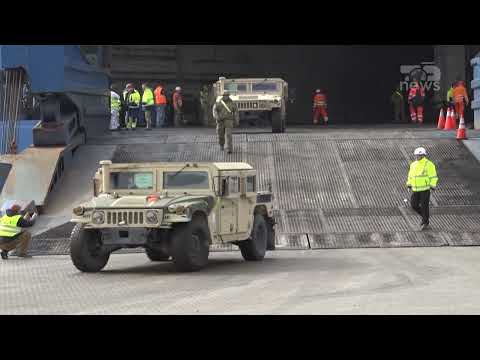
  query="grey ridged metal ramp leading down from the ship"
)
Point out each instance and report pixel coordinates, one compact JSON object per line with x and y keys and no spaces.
{"x":332,"y":189}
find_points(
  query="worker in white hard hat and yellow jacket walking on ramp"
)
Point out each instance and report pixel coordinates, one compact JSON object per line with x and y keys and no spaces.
{"x":422,"y":178}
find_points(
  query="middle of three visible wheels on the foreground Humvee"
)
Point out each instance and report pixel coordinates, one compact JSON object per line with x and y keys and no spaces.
{"x":191,"y":245}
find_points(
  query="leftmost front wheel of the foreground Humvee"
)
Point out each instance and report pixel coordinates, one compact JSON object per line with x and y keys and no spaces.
{"x":85,"y":250}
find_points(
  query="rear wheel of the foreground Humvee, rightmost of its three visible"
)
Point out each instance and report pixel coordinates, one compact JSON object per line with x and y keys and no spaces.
{"x":255,"y":247}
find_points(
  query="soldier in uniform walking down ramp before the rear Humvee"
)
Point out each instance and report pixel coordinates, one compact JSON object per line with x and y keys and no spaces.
{"x":224,"y":112}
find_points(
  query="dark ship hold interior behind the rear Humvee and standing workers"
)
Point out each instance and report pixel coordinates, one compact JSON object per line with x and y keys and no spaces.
{"x":358,"y":80}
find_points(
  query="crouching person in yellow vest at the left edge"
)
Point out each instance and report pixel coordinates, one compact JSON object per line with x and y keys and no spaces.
{"x":12,"y":234}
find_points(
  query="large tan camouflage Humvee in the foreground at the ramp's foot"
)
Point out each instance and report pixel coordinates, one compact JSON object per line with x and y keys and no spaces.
{"x":173,"y":210}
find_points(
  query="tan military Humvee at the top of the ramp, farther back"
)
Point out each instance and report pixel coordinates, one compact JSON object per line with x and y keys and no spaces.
{"x":256,"y":99}
